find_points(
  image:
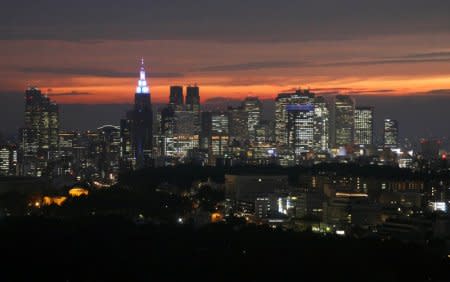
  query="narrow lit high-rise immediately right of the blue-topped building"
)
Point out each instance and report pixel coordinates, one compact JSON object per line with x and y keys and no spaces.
{"x":321,"y":125}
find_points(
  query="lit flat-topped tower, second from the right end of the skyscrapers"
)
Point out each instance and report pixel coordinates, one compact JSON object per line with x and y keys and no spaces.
{"x":363,"y":126}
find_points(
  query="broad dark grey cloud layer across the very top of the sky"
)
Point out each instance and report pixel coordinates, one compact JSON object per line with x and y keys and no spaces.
{"x":250,"y":20}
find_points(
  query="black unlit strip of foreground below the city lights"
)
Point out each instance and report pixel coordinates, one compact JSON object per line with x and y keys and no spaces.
{"x":114,"y":249}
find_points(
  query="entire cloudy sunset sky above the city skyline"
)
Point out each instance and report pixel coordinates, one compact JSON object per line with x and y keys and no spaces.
{"x":88,"y":51}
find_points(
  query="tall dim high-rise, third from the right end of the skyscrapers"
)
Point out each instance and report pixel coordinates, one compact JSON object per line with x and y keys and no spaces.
{"x":344,"y":119}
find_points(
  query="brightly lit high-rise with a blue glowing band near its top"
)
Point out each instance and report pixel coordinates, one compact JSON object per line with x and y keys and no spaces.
{"x":300,"y":128}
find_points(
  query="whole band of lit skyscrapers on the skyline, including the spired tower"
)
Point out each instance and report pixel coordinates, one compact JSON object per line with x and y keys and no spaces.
{"x":306,"y":128}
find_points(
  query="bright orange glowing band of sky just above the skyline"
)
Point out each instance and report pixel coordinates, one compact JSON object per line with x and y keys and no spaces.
{"x":114,"y":91}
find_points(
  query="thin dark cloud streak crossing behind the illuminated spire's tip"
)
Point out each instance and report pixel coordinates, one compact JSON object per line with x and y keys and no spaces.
{"x":93,"y":72}
